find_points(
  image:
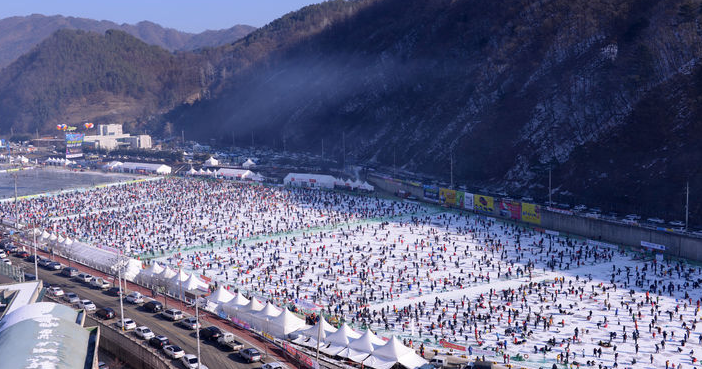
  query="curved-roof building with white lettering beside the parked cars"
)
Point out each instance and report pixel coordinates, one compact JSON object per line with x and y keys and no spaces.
{"x":43,"y":334}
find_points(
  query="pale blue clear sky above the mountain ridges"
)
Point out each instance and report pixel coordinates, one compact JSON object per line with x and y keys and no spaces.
{"x":183,"y":15}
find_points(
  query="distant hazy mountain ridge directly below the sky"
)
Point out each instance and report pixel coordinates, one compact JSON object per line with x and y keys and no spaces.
{"x":19,"y":34}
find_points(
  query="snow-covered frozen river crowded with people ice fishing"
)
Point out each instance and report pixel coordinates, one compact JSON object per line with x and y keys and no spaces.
{"x":415,"y":271}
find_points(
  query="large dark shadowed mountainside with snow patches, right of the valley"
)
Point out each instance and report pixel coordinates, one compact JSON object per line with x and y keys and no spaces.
{"x":605,"y":93}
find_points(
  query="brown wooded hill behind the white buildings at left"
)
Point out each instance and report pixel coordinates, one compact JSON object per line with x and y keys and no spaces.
{"x":77,"y":76}
